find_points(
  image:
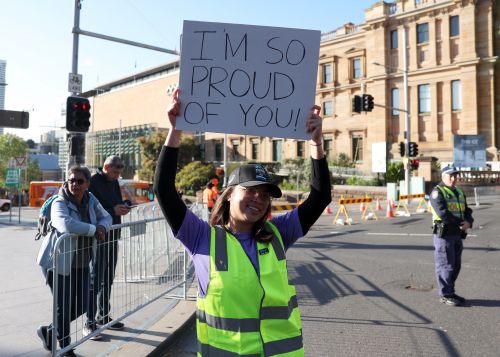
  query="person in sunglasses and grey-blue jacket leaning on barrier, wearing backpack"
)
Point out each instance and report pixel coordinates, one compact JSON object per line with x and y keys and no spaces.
{"x":75,"y":211}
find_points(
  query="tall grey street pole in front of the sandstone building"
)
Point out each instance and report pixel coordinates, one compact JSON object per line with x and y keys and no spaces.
{"x":406,"y":110}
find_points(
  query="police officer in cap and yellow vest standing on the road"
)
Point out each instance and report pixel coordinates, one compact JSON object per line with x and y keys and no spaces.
{"x":452,"y":218}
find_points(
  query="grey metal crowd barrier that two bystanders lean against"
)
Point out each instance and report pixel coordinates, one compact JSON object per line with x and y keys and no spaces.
{"x":151,"y":264}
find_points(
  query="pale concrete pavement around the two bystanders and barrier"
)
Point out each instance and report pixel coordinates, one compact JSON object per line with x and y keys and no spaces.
{"x":26,"y":303}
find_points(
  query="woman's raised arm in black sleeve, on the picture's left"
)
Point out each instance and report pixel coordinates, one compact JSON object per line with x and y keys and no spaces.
{"x":171,"y":204}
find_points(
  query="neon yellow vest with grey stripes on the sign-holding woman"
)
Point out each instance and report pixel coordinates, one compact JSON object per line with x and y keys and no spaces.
{"x":243,"y":313}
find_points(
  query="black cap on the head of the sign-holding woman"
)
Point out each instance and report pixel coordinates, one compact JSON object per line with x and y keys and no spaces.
{"x":253,"y":175}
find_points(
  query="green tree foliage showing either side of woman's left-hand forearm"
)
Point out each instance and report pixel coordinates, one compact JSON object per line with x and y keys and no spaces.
{"x":151,"y":147}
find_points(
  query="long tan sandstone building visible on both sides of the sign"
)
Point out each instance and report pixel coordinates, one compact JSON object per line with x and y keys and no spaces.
{"x":453,"y":72}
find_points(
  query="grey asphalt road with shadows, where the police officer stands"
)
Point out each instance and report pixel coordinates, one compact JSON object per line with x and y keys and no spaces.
{"x":369,"y":289}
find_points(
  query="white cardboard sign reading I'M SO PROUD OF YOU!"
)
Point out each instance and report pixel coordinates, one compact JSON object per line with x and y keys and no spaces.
{"x":245,"y":79}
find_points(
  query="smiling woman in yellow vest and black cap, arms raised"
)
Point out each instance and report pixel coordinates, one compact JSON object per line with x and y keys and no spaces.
{"x":246,"y":305}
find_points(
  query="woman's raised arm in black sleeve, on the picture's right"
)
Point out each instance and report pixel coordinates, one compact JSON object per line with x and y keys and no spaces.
{"x":320,"y":195}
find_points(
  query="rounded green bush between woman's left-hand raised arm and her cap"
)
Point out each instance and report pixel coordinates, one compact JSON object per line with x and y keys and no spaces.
{"x":194,"y":176}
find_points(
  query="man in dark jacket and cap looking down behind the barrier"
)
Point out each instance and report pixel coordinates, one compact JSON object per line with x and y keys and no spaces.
{"x":104,"y":185}
